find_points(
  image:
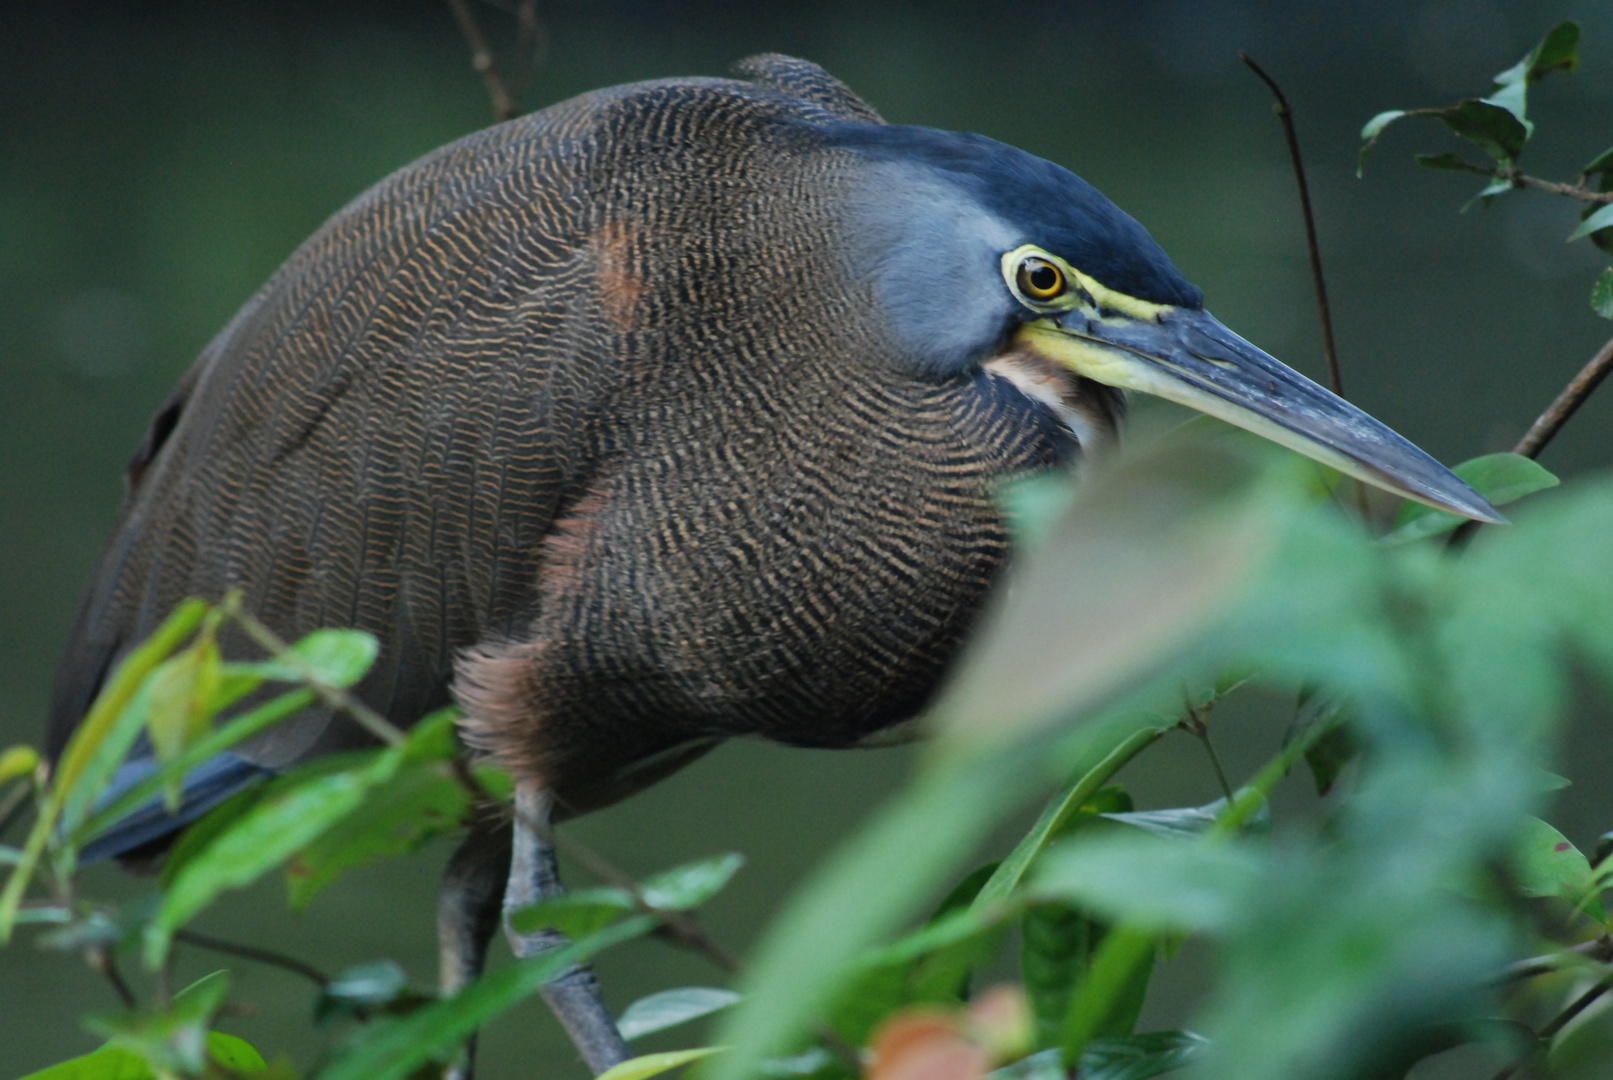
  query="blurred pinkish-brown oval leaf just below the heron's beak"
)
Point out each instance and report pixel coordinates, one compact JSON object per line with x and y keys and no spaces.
{"x":1154,"y":552}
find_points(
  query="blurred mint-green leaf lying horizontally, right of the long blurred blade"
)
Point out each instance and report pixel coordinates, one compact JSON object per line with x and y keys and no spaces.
{"x":1146,"y":879}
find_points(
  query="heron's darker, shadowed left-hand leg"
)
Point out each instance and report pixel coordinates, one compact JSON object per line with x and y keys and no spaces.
{"x":469,"y":915}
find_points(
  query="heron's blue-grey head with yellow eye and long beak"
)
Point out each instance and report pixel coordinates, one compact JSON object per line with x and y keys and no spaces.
{"x":975,"y":247}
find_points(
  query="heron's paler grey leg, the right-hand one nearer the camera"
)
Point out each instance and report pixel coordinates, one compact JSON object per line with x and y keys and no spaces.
{"x":535,"y":876}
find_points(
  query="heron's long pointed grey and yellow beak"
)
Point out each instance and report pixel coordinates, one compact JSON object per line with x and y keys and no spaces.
{"x":1188,"y":357}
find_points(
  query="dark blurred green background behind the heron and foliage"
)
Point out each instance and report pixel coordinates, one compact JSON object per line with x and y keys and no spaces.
{"x":160,"y":160}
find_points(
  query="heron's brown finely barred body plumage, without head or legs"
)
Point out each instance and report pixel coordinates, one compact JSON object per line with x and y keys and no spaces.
{"x":588,"y":422}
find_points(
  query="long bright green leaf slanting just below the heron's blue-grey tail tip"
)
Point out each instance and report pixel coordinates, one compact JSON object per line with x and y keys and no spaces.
{"x":272,"y":831}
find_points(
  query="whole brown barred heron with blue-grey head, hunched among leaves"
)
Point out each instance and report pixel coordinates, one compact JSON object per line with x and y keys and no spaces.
{"x":664,"y":415}
